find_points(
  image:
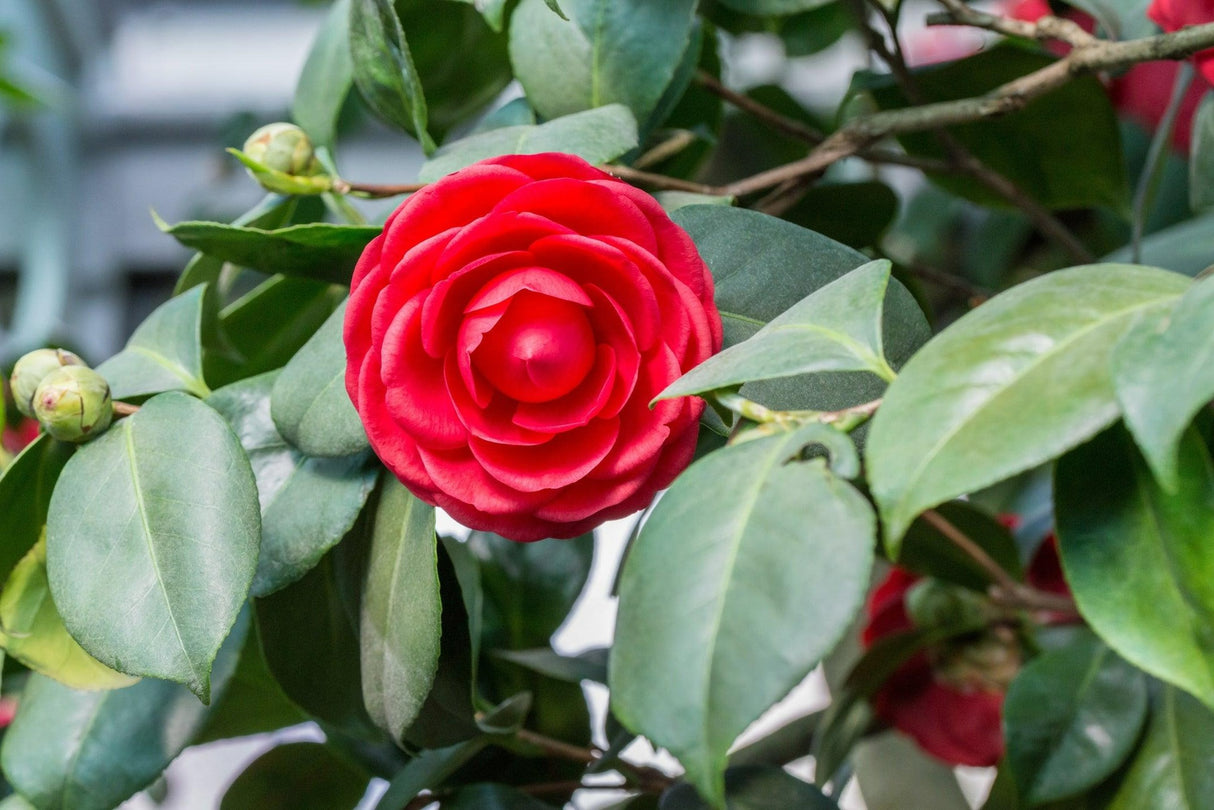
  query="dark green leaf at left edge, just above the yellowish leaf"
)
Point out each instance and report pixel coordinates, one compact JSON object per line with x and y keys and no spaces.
{"x":26,"y":489}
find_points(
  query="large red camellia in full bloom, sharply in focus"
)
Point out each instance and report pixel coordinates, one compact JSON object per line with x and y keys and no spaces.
{"x":507,"y":333}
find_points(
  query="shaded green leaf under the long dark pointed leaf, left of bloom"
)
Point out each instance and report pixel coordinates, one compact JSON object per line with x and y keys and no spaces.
{"x":269,"y":325}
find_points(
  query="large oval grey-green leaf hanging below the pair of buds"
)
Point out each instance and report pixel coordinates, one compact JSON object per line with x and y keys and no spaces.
{"x":156,"y":522}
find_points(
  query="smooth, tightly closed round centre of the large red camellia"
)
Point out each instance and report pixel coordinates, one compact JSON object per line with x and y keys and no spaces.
{"x":541,"y":349}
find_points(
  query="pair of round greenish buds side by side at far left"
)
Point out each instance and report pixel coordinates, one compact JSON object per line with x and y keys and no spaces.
{"x":70,"y":400}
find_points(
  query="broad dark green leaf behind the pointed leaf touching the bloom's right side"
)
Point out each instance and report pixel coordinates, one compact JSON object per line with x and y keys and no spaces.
{"x":762,"y":267}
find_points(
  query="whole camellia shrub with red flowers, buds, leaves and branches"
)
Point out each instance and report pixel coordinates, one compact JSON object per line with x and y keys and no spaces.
{"x":952,"y":443}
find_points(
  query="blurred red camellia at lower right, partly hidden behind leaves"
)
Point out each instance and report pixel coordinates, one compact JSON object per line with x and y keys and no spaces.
{"x":955,"y":720}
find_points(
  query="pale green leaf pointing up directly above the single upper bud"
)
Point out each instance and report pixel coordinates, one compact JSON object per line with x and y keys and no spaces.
{"x":326,"y":78}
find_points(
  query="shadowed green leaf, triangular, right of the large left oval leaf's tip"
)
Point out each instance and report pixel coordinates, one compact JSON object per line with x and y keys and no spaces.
{"x":253,"y":701}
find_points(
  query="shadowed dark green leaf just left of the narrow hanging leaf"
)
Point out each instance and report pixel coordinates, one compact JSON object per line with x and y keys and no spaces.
{"x":311,"y":648}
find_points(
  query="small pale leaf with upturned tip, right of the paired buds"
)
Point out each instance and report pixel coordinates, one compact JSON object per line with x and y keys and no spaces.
{"x":166,"y":353}
